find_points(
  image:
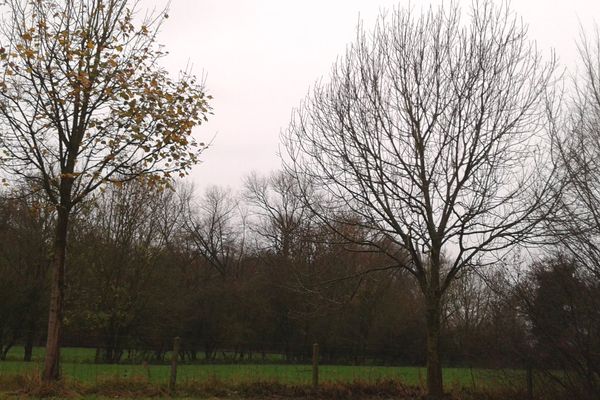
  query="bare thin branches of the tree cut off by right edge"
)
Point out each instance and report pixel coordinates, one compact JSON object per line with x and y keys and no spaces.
{"x":579,"y":228}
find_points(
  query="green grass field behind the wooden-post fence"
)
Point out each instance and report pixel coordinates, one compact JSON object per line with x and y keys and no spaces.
{"x":77,"y":366}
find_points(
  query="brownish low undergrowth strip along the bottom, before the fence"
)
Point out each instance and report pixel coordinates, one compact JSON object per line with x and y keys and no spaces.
{"x":30,"y":386}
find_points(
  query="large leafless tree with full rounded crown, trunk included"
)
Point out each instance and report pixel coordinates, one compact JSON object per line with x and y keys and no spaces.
{"x":431,"y":130}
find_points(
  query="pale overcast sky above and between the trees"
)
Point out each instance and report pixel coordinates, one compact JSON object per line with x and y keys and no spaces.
{"x":261,"y":56}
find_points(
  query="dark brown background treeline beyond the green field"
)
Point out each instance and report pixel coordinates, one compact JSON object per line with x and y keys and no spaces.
{"x":255,"y":273}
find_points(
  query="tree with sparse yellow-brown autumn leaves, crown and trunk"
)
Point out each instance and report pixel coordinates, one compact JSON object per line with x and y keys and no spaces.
{"x":83,"y":102}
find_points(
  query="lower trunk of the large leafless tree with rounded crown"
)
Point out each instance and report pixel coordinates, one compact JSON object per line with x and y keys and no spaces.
{"x":435,"y":388}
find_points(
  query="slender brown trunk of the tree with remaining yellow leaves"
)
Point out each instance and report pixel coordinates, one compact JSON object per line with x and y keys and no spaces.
{"x":55,"y":314}
